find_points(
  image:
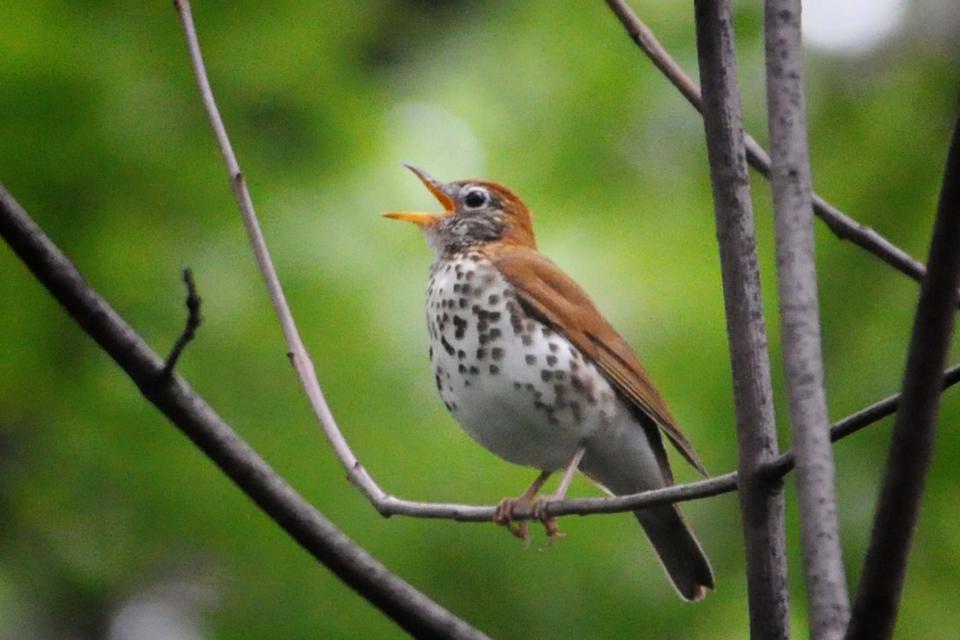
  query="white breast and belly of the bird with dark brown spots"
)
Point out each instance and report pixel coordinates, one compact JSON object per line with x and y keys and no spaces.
{"x":517,"y":387}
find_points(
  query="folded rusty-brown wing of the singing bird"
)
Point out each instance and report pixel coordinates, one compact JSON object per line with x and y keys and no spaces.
{"x":554,"y":298}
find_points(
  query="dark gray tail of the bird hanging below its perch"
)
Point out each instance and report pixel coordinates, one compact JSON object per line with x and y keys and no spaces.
{"x":679,"y":551}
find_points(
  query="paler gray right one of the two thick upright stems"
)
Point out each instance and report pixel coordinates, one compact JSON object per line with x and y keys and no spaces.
{"x":829,"y":607}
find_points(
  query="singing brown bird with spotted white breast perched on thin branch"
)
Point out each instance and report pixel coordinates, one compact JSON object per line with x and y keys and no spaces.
{"x":531,"y":370}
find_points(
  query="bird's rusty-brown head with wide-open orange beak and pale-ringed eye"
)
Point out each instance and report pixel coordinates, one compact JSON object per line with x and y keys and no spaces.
{"x":476,"y":212}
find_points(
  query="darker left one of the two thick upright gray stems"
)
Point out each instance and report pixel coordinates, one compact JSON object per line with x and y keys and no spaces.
{"x":761,"y":501}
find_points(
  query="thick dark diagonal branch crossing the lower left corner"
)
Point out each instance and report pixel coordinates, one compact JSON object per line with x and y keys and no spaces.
{"x":198,"y":421}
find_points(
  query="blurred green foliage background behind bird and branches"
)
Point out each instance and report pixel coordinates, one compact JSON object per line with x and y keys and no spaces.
{"x":113,"y":525}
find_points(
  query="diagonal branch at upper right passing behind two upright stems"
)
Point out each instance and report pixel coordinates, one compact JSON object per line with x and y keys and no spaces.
{"x":844,"y":227}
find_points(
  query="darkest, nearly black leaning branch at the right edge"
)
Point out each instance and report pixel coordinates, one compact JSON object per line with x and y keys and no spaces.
{"x":878,"y":598}
